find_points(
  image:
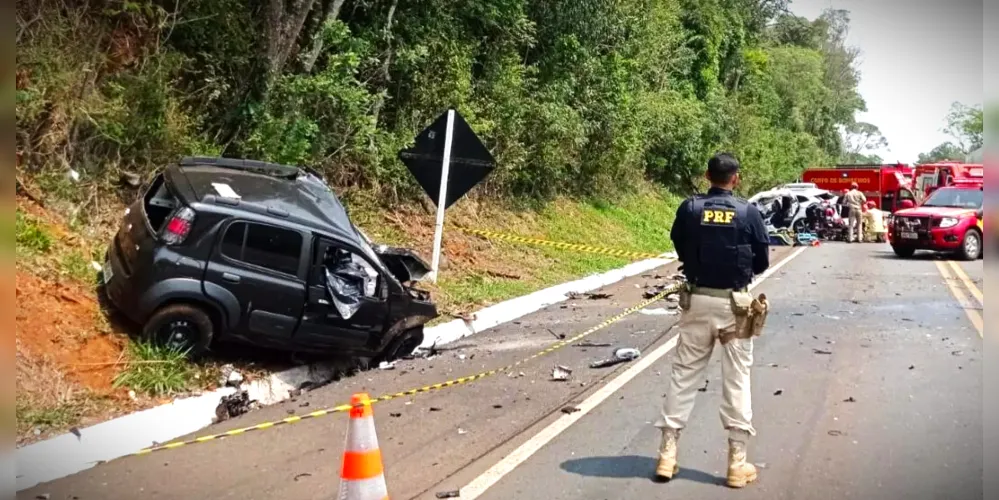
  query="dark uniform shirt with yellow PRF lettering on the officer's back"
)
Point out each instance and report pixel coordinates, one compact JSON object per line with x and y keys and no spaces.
{"x":712,"y":256}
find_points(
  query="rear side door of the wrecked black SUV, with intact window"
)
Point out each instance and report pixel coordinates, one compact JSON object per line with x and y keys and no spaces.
{"x":261,"y":265}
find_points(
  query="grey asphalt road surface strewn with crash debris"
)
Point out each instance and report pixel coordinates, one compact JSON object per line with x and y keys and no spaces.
{"x":913,"y":432}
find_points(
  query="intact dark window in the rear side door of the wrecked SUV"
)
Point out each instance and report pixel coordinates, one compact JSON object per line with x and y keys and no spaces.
{"x":265,"y":246}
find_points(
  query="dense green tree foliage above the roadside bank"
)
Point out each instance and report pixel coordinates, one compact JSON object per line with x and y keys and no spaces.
{"x":578,"y":97}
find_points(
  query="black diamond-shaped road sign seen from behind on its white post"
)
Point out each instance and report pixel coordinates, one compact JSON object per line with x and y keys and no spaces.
{"x":447,"y":160}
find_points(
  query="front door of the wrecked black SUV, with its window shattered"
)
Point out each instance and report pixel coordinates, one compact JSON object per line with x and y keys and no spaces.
{"x":347,"y":304}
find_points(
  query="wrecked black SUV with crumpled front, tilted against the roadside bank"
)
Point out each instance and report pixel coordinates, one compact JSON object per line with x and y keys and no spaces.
{"x":222,"y":249}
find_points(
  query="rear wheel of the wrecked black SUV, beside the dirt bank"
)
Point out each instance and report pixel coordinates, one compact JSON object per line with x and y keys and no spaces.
{"x":183,"y":326}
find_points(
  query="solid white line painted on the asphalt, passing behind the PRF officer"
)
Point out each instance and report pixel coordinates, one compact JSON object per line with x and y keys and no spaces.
{"x":487,"y":479}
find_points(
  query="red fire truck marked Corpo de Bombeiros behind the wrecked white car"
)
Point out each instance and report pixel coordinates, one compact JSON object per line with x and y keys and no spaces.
{"x":886,"y":185}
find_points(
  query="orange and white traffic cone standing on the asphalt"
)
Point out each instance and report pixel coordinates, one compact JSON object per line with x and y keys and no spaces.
{"x":362,"y":476}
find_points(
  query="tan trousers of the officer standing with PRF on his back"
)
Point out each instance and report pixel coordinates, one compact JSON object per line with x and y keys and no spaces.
{"x":699,"y":329}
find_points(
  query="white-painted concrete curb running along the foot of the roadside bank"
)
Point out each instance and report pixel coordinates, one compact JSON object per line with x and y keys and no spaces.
{"x":68,"y":454}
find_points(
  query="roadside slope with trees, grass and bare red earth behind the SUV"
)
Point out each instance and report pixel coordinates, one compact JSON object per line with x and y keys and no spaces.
{"x":601,"y":116}
